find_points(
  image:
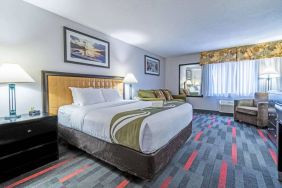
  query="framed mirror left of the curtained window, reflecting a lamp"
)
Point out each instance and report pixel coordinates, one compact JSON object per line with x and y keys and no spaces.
{"x":190,"y":79}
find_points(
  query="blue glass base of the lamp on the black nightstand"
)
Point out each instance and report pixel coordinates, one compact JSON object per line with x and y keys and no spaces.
{"x":12,"y":103}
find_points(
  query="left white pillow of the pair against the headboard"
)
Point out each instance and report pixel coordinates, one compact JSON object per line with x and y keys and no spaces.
{"x":87,"y":96}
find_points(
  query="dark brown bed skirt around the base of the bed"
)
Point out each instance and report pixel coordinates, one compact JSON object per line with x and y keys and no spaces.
{"x":145,"y":166}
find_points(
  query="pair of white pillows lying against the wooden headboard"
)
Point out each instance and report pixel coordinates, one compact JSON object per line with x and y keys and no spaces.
{"x":89,"y":96}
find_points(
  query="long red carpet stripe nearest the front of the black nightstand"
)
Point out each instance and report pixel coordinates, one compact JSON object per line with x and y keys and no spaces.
{"x":38,"y":173}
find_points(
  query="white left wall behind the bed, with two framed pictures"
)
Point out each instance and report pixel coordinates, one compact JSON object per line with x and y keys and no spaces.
{"x":33,"y":38}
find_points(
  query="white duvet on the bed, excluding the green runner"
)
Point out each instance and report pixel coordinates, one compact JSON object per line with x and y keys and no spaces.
{"x":156,"y":130}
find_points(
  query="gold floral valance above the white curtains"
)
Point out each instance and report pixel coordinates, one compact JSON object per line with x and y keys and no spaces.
{"x":258,"y":51}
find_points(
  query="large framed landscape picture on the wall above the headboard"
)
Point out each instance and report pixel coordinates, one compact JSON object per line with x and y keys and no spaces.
{"x":84,"y":49}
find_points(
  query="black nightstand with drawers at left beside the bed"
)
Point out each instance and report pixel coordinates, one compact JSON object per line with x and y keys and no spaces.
{"x":27,"y":143}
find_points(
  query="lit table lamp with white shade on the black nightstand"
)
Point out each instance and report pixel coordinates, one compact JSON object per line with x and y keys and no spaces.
{"x":12,"y":74}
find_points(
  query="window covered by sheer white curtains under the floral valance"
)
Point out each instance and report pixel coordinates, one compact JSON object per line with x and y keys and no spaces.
{"x":242,"y":79}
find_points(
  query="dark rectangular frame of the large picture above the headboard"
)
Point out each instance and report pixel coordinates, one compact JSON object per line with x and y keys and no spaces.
{"x":74,"y":62}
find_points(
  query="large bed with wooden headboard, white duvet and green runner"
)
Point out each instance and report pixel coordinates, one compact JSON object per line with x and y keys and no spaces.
{"x":111,"y":131}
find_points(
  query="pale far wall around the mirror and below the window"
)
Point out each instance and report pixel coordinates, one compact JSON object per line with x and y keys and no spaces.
{"x":172,"y":81}
